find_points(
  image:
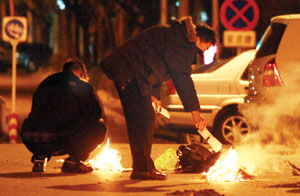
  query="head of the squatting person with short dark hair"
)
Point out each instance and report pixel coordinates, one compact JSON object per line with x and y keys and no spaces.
{"x":77,"y":67}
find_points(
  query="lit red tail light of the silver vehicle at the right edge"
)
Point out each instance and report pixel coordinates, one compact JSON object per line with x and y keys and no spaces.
{"x":271,"y":75}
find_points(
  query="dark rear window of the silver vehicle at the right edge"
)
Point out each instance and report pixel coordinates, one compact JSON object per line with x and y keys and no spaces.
{"x":270,"y":40}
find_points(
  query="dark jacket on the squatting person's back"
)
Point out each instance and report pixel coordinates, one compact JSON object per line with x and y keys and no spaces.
{"x":61,"y":100}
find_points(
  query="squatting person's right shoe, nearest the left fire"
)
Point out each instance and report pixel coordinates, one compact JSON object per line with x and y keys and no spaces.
{"x":75,"y":167}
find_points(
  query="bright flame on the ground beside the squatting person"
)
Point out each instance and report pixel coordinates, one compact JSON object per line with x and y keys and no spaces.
{"x":106,"y":160}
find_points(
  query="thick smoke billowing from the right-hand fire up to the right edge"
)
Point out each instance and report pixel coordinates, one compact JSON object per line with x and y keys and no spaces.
{"x":276,"y":128}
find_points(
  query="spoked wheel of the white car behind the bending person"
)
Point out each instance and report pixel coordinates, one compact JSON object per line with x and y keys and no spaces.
{"x":231,"y":127}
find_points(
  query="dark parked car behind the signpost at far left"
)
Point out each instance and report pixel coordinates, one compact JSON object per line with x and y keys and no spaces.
{"x":30,"y":56}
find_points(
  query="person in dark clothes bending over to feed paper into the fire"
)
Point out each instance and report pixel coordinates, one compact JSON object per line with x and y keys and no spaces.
{"x":140,"y":66}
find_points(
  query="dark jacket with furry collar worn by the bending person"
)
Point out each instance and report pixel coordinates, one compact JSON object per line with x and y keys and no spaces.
{"x":154,"y":56}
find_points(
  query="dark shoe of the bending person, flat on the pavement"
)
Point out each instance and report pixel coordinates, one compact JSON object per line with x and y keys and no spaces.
{"x":154,"y":175}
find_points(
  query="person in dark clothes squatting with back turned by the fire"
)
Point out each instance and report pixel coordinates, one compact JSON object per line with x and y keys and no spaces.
{"x":65,"y":118}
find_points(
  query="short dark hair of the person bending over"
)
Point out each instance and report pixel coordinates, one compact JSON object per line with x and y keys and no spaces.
{"x":206,"y":33}
